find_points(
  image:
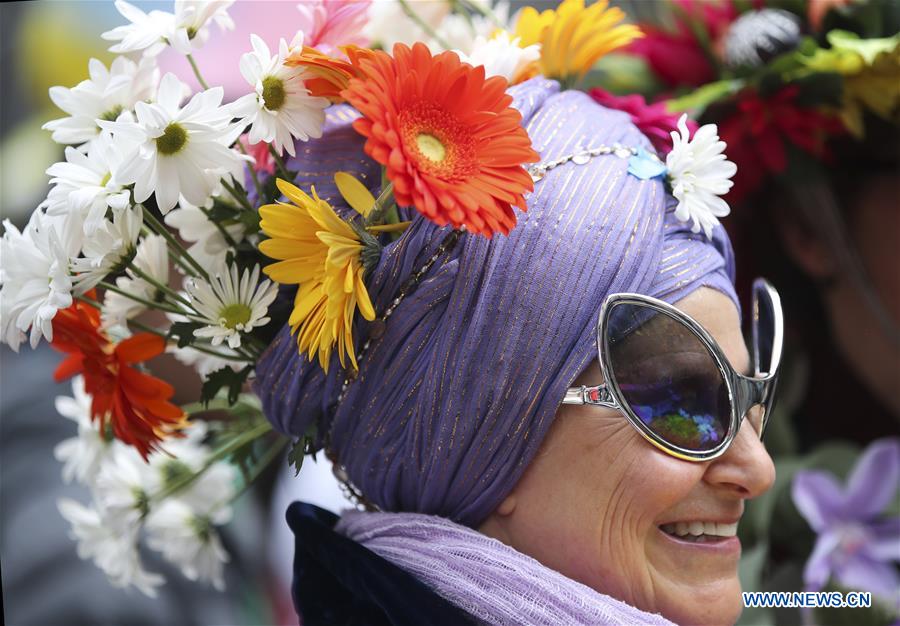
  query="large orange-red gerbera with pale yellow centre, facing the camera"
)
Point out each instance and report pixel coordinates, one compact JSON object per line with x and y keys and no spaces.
{"x":453,"y":146}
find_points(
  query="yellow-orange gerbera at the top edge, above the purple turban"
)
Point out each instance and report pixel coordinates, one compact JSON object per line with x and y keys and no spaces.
{"x":574,"y":37}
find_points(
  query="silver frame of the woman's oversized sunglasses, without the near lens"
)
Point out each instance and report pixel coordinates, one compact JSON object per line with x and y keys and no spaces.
{"x":744,"y":392}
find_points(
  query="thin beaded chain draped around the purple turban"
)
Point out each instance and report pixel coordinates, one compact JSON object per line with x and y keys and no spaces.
{"x":377,"y":328}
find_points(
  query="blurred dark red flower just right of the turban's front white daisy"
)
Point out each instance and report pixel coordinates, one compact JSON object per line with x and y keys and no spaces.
{"x":758,"y":131}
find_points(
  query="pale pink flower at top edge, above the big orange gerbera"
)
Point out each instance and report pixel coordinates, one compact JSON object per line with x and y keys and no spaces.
{"x":327,"y":24}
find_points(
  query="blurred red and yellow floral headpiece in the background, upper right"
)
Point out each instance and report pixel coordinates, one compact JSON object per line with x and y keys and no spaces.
{"x":781,"y":79}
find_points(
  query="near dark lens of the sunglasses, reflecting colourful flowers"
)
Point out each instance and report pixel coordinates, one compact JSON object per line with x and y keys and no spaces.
{"x":667,"y":377}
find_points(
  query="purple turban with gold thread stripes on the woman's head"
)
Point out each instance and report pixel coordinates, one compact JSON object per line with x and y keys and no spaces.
{"x":453,"y":400}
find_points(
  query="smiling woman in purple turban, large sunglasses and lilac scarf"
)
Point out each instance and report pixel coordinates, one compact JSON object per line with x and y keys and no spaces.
{"x":490,"y":496}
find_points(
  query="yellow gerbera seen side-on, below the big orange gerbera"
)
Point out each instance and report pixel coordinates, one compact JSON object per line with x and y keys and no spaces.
{"x":321,"y":252}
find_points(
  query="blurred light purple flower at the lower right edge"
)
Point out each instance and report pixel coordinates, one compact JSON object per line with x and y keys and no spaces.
{"x":857,"y":543}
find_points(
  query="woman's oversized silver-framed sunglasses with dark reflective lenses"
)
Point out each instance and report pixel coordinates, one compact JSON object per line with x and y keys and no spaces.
{"x":674,"y":383}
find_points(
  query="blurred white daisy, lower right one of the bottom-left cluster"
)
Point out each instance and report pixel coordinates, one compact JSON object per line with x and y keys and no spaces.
{"x":189,"y":540}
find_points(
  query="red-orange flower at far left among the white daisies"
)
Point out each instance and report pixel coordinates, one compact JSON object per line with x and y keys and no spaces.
{"x":136,"y":404}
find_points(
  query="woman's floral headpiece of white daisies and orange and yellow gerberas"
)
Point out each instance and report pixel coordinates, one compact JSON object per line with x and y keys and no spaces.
{"x":151,"y":181}
